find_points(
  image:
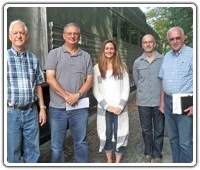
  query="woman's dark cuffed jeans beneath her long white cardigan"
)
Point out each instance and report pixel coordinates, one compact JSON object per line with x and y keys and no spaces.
{"x":111,"y":127}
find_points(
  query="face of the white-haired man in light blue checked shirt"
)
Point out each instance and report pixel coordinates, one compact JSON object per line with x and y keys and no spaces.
{"x":176,"y":39}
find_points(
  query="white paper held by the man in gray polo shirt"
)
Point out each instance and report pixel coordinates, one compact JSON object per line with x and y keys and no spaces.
{"x":82,"y":103}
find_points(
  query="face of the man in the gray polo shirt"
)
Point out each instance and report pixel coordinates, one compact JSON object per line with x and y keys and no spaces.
{"x":71,"y":35}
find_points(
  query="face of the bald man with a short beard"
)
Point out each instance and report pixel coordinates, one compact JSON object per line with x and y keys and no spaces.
{"x":148,"y":43}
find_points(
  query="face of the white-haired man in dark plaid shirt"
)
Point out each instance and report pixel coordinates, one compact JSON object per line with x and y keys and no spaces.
{"x":18,"y":37}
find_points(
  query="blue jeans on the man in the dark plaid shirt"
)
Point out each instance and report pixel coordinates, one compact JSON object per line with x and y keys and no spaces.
{"x":23,"y":134}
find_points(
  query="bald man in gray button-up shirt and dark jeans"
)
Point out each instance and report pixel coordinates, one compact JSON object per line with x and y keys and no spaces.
{"x":145,"y":74}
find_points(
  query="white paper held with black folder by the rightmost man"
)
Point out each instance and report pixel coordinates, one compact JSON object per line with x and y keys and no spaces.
{"x":176,"y":102}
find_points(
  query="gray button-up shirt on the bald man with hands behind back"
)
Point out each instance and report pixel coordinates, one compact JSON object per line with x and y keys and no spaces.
{"x":146,"y":79}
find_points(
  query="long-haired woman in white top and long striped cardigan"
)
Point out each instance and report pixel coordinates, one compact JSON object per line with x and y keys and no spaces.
{"x":111,"y":88}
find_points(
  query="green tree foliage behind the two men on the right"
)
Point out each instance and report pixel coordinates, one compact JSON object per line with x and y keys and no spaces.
{"x":163,"y":18}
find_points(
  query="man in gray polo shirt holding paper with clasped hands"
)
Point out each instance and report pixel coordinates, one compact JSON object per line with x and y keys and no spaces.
{"x":69,"y":74}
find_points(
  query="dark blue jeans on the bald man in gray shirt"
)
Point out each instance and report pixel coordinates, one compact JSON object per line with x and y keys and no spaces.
{"x":152,"y":123}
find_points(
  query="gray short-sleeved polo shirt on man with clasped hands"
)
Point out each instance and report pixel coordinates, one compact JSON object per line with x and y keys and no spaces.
{"x":71,"y":71}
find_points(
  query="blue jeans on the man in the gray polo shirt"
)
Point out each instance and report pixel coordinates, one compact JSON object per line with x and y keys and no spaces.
{"x":77,"y":121}
